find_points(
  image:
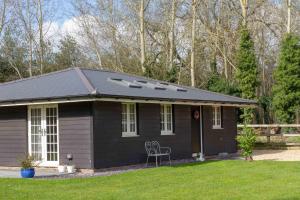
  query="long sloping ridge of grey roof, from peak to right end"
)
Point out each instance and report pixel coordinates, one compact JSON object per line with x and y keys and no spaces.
{"x":174,"y":84}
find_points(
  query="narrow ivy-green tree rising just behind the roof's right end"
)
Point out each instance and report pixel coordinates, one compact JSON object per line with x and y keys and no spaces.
{"x":247,"y":71}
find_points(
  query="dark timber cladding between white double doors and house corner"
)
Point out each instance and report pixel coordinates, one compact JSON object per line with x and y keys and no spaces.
{"x":75,"y":131}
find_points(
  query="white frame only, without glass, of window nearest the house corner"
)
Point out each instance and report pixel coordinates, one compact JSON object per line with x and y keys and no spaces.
{"x":129,"y":133}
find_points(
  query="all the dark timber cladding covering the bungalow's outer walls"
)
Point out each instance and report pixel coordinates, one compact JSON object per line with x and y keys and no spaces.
{"x":91,"y":131}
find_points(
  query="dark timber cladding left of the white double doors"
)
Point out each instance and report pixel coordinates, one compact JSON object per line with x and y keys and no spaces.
{"x":13,"y":135}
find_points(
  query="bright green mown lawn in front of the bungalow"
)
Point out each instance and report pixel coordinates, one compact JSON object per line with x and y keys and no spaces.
{"x":208,"y":180}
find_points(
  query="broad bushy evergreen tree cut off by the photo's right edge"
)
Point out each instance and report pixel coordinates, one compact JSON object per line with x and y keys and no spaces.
{"x":286,"y":90}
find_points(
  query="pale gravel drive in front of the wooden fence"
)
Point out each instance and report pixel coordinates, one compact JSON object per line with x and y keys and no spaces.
{"x":279,"y":155}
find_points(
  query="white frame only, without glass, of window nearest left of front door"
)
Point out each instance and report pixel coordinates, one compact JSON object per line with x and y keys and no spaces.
{"x":164,"y":119}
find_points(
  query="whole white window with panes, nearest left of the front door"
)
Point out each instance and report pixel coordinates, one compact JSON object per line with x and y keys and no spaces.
{"x":166,"y":119}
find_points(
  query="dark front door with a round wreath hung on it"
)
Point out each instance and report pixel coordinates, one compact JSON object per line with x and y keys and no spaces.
{"x":195,"y":129}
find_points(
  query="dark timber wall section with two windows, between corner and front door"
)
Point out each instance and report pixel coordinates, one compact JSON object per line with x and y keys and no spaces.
{"x":111,"y":149}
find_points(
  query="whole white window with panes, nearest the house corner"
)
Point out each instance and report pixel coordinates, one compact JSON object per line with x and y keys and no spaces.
{"x":129,"y":120}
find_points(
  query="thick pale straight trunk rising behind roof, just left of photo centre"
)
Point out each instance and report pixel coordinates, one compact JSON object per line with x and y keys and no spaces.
{"x":142,"y":36}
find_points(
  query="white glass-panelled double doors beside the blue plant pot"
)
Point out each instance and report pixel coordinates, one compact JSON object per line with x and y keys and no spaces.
{"x":43,"y":134}
